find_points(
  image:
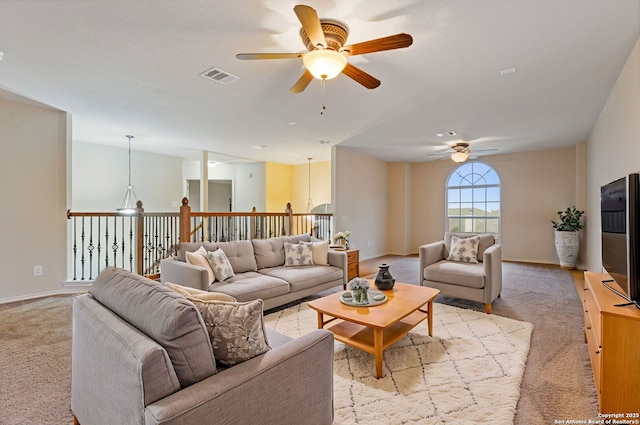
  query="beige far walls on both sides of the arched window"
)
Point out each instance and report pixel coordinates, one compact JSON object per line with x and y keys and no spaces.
{"x":534,"y":186}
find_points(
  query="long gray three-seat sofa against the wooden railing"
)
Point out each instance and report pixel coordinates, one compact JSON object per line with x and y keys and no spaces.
{"x":260,"y":271}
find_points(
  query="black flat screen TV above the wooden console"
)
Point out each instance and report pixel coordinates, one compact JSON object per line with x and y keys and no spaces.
{"x":620,"y":219}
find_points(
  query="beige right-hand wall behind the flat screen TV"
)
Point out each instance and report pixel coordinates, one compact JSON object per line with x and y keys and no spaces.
{"x":613,"y":147}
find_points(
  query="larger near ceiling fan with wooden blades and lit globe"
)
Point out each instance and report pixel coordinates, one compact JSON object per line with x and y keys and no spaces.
{"x":327,"y":54}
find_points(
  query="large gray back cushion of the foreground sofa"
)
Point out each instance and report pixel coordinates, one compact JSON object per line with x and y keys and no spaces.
{"x":163,"y":315}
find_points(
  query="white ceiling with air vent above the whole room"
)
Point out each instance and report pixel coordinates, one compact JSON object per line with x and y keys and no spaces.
{"x":132,"y":67}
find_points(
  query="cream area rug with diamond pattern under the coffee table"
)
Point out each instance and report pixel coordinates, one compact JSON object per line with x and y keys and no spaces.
{"x":469,"y":372}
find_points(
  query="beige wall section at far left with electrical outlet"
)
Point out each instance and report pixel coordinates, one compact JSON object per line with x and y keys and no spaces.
{"x":33,"y":178}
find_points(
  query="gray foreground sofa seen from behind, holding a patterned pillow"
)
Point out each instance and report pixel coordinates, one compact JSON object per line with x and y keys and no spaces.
{"x":141,"y":354}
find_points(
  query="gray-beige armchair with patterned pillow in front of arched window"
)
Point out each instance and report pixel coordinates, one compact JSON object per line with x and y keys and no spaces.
{"x":480,"y":282}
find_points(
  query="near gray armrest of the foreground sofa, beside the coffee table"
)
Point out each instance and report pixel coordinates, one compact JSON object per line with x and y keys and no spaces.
{"x":294,"y":380}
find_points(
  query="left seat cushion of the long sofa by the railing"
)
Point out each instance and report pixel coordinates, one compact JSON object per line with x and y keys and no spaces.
{"x":250,"y":286}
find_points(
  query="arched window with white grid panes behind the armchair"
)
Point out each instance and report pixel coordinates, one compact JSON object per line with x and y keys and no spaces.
{"x":473,"y":200}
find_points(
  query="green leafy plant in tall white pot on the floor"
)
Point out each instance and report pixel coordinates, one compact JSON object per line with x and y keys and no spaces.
{"x":566,"y":236}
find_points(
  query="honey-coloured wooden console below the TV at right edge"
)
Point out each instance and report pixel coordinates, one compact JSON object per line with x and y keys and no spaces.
{"x":613,"y":337}
